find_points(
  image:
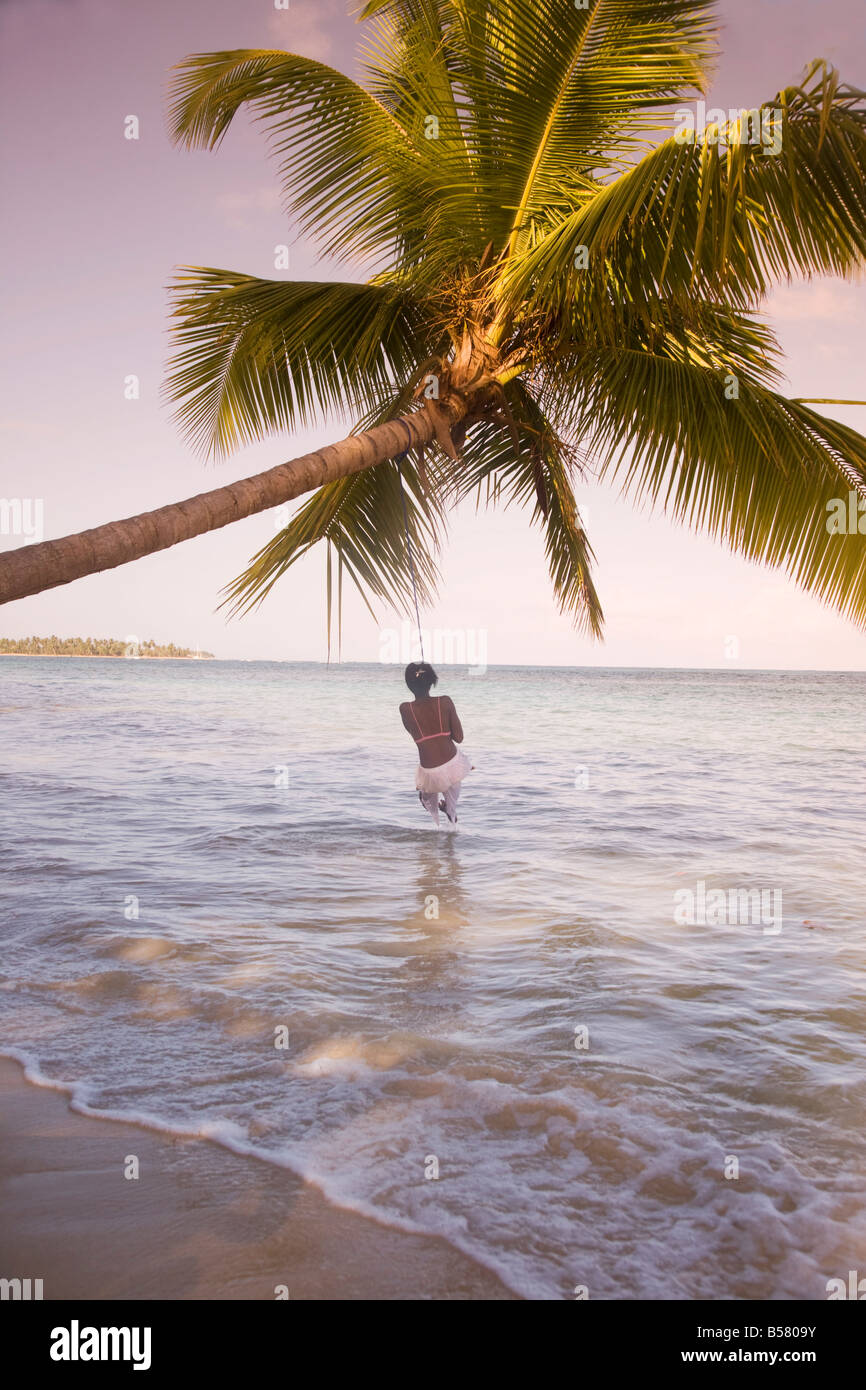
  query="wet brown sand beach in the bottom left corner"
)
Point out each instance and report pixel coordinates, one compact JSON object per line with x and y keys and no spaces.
{"x":199,"y":1223}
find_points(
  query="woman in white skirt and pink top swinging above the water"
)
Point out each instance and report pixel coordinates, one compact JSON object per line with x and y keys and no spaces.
{"x":436,"y":729}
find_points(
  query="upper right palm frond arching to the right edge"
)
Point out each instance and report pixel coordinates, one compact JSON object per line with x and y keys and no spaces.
{"x":693,"y":220}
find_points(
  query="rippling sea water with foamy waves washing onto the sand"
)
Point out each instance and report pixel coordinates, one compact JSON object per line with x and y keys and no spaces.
{"x":432,"y":983}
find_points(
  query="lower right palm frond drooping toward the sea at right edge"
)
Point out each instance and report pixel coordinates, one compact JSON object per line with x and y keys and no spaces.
{"x":728,"y":457}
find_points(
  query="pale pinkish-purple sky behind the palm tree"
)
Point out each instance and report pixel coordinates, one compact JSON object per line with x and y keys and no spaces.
{"x":94,"y":230}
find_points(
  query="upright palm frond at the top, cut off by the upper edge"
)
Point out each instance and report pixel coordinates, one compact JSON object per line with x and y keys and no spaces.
{"x":540,"y":95}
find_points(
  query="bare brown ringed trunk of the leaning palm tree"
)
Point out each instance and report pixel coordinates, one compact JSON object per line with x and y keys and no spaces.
{"x":49,"y":564}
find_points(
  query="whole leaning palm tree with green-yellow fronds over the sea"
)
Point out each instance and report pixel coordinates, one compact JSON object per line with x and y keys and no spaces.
{"x":562,"y":281}
